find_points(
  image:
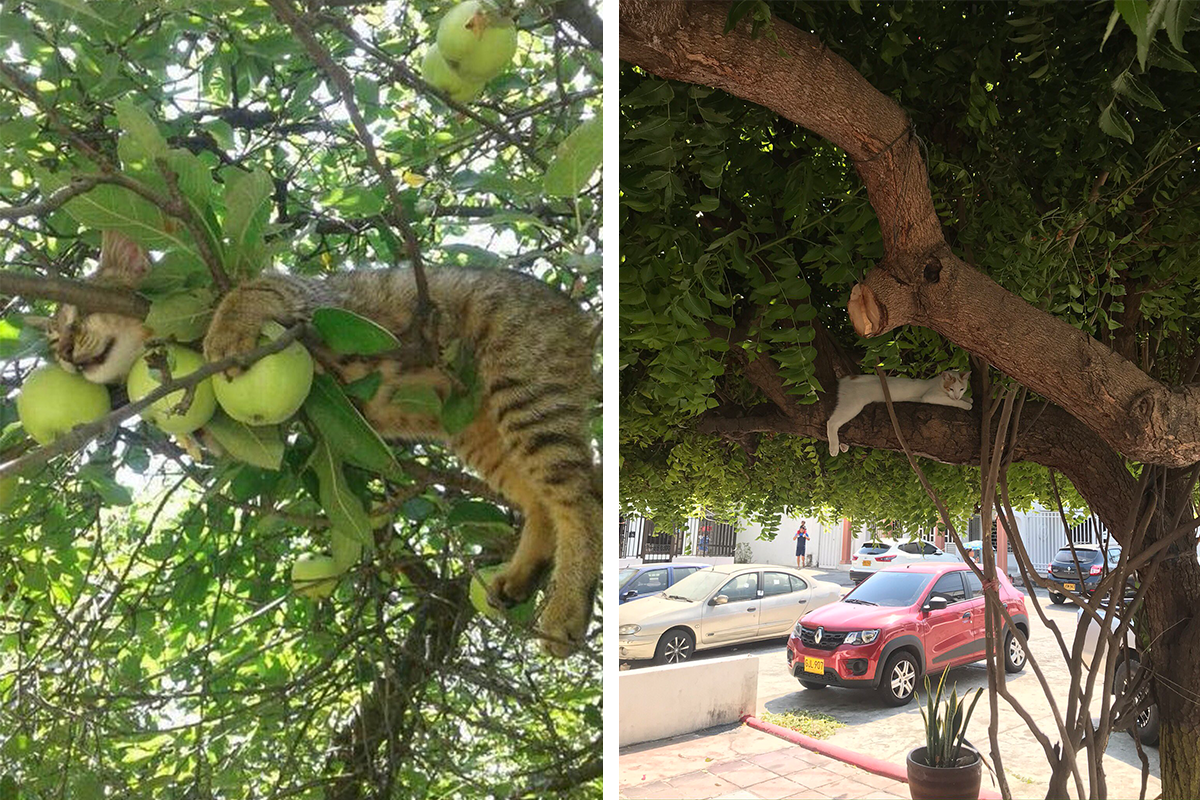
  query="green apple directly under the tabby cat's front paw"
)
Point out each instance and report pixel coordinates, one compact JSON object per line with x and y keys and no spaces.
{"x":271,"y":392}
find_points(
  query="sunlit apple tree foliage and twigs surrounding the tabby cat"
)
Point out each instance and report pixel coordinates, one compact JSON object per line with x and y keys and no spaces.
{"x":151,"y":646}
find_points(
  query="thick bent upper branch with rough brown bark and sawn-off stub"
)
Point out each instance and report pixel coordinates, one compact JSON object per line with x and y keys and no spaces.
{"x":920,"y":282}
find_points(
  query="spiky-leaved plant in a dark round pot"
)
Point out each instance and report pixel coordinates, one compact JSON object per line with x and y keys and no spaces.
{"x":945,"y":769}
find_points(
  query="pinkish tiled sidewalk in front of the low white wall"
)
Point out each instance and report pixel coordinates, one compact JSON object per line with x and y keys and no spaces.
{"x":736,"y":763}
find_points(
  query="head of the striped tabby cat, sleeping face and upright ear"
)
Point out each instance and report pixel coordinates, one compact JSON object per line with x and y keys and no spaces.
{"x":101,"y":346}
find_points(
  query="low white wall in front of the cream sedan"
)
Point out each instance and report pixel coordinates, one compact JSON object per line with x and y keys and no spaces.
{"x":661,"y":702}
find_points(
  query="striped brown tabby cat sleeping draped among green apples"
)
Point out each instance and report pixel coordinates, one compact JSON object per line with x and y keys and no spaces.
{"x":530,"y":440}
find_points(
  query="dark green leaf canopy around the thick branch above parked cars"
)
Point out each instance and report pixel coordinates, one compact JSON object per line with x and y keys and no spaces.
{"x":743,"y":233}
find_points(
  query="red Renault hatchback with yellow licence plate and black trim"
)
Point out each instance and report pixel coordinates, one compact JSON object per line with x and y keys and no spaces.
{"x":899,"y":624}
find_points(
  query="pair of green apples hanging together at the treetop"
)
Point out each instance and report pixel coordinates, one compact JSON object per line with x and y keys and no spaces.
{"x":475,"y":45}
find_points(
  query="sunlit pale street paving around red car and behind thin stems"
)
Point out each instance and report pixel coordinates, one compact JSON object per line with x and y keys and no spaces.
{"x":891,"y":733}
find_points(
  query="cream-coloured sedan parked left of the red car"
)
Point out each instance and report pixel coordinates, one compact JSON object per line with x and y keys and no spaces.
{"x":730,"y":604}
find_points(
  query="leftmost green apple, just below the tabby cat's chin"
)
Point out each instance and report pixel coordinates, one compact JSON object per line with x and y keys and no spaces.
{"x":53,"y":401}
